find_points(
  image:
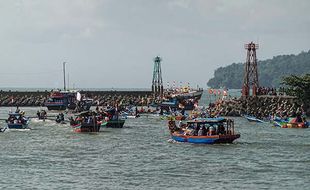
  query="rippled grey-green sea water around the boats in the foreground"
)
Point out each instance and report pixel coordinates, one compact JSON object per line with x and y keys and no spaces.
{"x":142,"y":156}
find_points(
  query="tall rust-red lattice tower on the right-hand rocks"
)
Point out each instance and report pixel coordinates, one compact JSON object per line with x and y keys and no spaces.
{"x":250,"y":70}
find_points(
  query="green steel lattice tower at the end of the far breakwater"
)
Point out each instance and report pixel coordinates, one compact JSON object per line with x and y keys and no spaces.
{"x":157,"y":84}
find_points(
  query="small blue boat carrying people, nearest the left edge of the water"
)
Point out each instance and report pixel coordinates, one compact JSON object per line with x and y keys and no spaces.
{"x":17,"y":121}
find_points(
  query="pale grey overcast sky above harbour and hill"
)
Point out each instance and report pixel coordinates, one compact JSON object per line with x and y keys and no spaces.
{"x":112,"y":43}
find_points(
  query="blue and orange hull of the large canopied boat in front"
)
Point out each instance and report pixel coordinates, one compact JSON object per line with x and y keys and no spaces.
{"x":213,"y":139}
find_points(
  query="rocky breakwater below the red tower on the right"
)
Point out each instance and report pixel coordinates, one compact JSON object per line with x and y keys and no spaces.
{"x":260,"y":106}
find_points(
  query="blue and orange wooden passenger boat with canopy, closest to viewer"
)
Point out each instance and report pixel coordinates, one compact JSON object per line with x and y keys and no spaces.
{"x":219,"y":130}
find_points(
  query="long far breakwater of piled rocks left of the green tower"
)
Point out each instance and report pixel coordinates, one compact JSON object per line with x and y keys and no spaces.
{"x":101,"y":98}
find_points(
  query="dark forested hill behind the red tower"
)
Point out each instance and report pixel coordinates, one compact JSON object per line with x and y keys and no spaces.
{"x":270,"y":71}
